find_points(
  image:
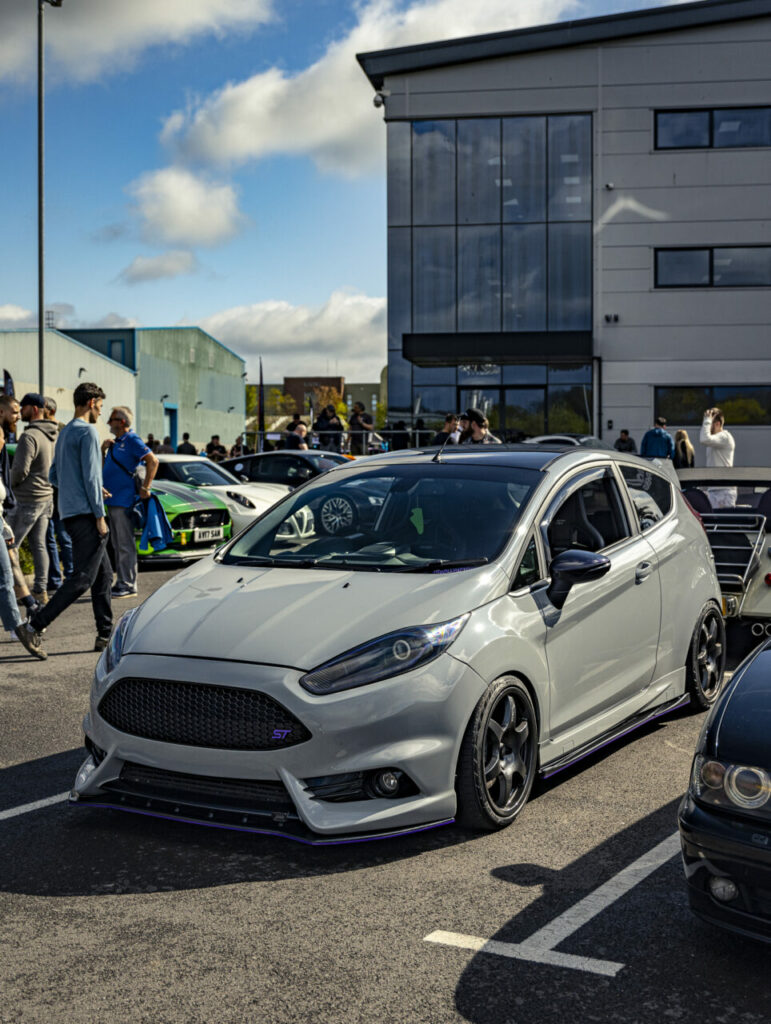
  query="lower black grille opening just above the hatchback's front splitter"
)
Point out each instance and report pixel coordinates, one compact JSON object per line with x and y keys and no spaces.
{"x":227,"y":793}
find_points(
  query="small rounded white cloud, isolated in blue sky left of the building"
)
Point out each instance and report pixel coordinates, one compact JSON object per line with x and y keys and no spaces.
{"x":177,"y":207}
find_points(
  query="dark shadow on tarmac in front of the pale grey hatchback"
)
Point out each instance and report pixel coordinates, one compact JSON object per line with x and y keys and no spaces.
{"x":73,"y":851}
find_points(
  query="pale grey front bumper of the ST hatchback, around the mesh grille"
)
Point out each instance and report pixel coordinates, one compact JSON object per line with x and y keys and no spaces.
{"x":413,"y":723}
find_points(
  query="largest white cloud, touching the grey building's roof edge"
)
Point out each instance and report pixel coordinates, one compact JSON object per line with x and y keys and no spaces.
{"x":326,"y":110}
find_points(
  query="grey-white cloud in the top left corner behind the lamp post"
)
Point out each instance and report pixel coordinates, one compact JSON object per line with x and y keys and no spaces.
{"x":88,"y":38}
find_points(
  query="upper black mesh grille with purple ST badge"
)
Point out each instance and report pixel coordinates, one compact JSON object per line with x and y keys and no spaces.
{"x":200,"y":715}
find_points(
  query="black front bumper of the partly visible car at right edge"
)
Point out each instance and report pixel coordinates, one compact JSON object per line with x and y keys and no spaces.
{"x":737,"y":848}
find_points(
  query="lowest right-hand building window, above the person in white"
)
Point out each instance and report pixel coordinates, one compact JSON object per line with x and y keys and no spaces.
{"x":743,"y":406}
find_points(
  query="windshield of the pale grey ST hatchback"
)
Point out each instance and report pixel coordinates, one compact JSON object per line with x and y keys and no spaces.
{"x":421,"y":519}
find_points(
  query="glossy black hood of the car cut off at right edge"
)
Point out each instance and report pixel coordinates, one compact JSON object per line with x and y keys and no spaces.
{"x":741,"y":727}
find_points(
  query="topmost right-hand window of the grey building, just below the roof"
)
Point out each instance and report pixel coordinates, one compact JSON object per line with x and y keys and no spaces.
{"x":723,"y":129}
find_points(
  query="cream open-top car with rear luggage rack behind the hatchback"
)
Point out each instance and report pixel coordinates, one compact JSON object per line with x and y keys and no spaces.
{"x":741,"y":538}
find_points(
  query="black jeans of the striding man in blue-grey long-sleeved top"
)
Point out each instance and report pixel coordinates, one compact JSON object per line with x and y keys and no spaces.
{"x":93,"y":570}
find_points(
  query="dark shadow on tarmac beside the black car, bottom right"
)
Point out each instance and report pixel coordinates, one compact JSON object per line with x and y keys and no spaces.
{"x":675,"y":966}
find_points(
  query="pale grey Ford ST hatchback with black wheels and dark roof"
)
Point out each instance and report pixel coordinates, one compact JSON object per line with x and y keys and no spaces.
{"x":508,"y":612}
